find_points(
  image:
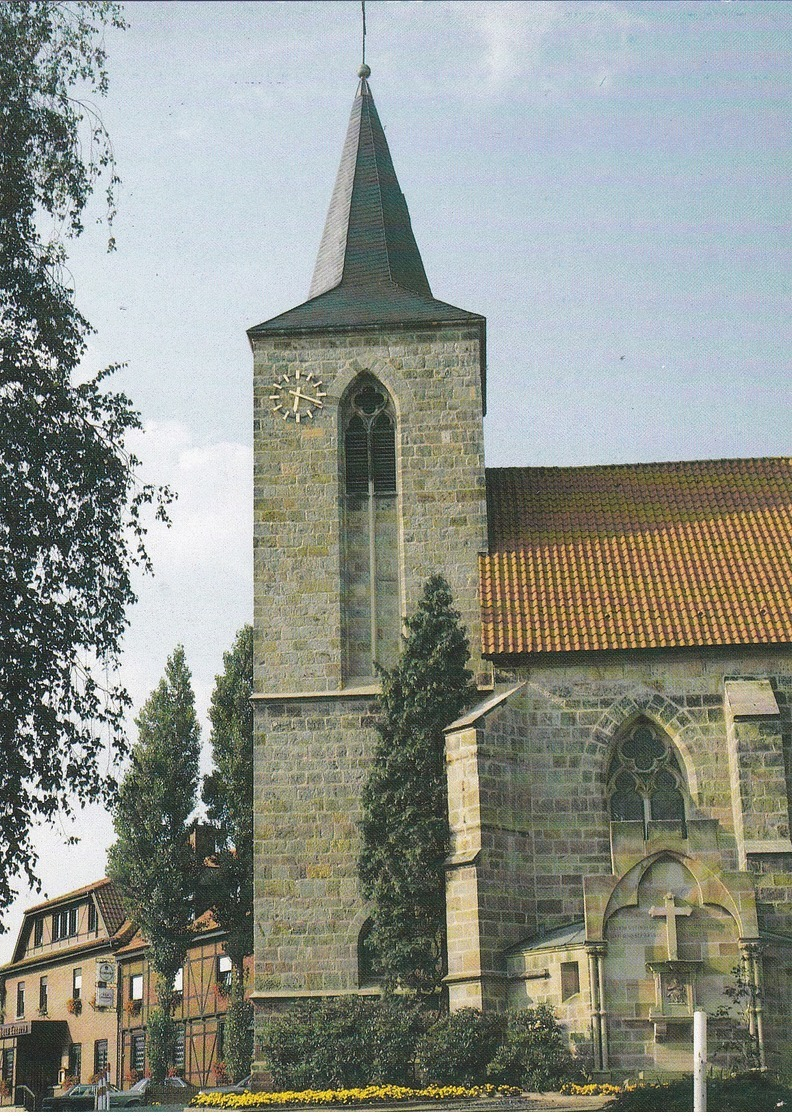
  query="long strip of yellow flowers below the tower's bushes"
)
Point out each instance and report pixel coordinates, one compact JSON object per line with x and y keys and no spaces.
{"x":372,"y":1094}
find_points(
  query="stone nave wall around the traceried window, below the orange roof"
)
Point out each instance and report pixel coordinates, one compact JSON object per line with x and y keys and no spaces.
{"x":542,"y":769}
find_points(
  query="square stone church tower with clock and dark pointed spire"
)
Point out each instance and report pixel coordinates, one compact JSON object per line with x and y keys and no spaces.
{"x":369,"y":478}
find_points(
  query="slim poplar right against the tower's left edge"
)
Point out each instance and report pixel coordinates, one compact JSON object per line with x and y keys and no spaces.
{"x":228,"y":793}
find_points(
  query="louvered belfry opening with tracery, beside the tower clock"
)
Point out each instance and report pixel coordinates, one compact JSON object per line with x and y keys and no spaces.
{"x":370,"y":441}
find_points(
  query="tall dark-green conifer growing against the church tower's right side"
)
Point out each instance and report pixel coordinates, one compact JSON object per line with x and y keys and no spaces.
{"x":405,"y":825}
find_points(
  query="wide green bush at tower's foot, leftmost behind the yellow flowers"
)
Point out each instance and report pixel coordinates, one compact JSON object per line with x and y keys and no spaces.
{"x":343,"y":1043}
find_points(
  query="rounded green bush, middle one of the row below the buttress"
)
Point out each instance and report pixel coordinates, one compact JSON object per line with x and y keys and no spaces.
{"x":458,"y":1048}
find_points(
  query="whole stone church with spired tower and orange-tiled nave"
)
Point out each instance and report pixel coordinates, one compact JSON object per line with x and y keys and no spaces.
{"x":620,"y":803}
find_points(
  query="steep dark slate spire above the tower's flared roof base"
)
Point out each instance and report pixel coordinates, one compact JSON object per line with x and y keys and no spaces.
{"x":369,"y":237}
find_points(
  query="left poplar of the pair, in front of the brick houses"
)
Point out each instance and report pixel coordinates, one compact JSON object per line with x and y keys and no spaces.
{"x":152,"y":862}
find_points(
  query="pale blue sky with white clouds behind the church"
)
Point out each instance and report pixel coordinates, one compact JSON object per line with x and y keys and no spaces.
{"x":610,"y":184}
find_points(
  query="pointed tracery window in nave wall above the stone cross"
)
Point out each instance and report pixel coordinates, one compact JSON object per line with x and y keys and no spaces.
{"x":645,"y":782}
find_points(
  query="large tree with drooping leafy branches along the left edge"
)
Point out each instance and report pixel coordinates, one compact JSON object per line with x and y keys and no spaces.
{"x":71,"y":503}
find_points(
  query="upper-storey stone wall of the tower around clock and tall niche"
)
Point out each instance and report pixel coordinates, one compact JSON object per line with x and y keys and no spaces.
{"x":434,"y":378}
